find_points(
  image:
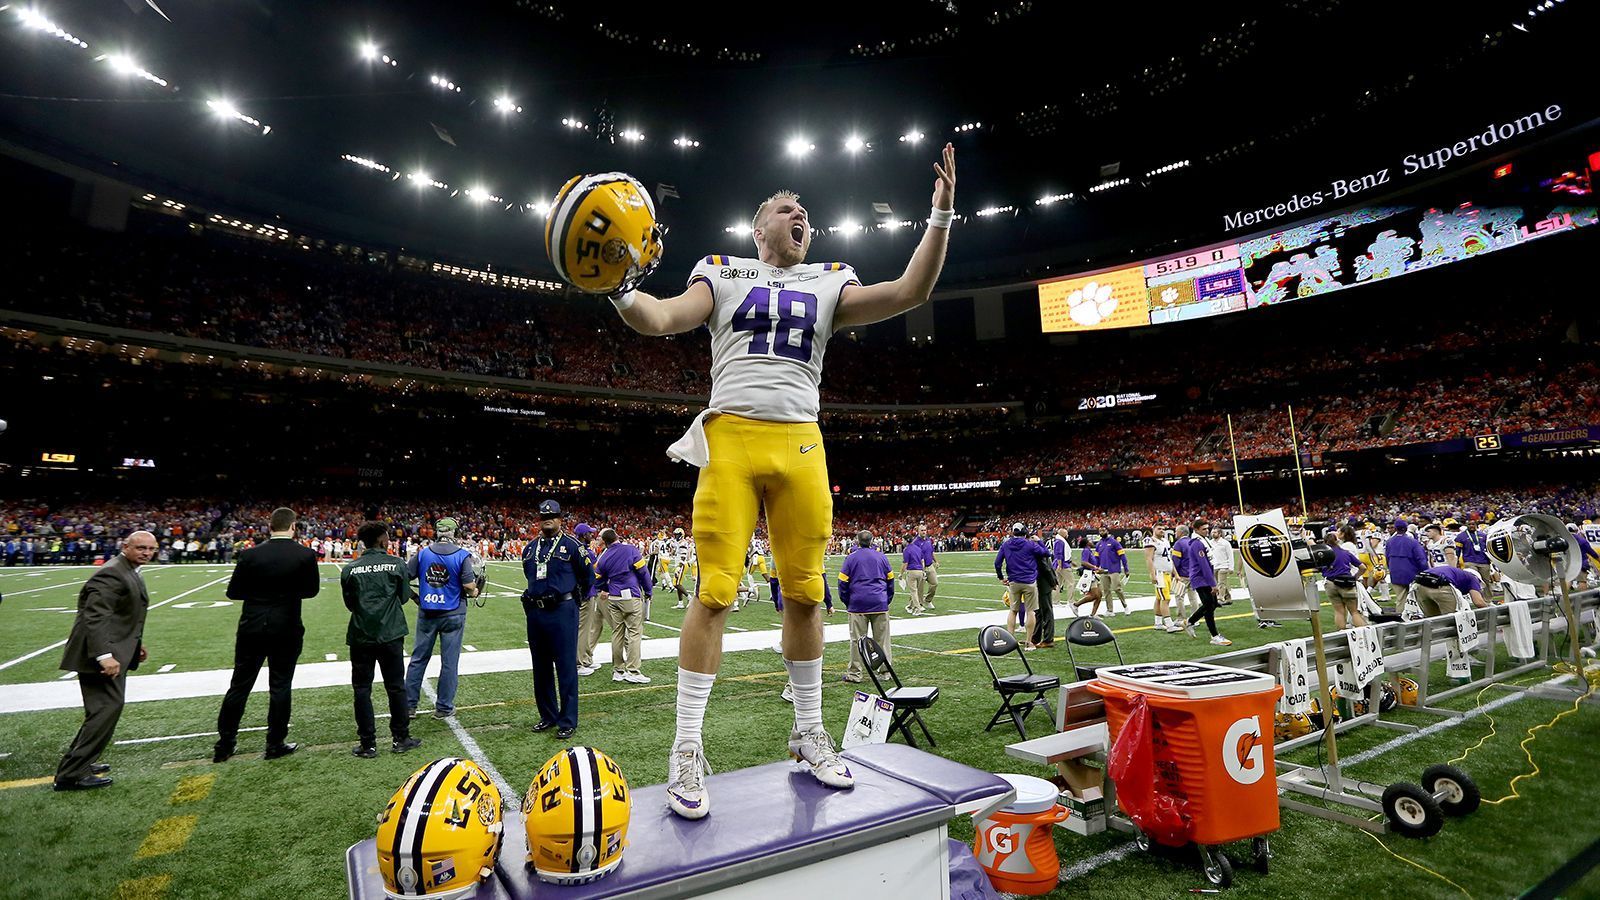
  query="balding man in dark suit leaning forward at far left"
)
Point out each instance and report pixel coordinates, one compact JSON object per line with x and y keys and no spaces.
{"x":106,"y":645}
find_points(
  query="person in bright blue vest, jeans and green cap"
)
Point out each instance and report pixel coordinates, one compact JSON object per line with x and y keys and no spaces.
{"x":447,"y":574}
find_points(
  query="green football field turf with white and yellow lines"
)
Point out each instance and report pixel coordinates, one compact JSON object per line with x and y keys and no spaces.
{"x":177,"y":826}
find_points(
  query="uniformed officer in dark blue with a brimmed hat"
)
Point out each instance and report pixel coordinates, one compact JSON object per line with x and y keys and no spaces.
{"x":559,"y":573}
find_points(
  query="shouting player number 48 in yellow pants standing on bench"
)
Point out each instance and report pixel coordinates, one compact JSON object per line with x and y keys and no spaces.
{"x":759,"y":443}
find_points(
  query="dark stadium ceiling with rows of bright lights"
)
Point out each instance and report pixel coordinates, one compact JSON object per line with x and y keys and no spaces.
{"x":1084,"y":131}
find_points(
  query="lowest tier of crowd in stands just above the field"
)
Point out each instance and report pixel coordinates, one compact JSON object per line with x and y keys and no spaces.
{"x":36,"y":532}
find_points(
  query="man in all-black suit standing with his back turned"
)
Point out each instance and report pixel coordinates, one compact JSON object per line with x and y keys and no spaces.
{"x":271,"y":581}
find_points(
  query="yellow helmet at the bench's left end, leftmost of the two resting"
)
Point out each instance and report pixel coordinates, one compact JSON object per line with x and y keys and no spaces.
{"x":441,"y":834}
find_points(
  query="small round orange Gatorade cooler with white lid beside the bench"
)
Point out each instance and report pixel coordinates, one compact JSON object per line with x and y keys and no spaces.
{"x":1017,"y":846}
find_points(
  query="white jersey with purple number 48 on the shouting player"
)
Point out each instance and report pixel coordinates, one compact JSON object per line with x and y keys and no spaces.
{"x":769,"y":329}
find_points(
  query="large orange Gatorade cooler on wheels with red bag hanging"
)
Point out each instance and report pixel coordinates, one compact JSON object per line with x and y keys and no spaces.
{"x":1210,"y":734}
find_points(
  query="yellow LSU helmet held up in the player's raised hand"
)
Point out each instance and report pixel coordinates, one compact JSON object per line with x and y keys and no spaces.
{"x":602,"y":233}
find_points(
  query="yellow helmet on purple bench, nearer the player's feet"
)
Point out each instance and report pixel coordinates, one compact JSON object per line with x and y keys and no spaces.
{"x":577,"y":816}
